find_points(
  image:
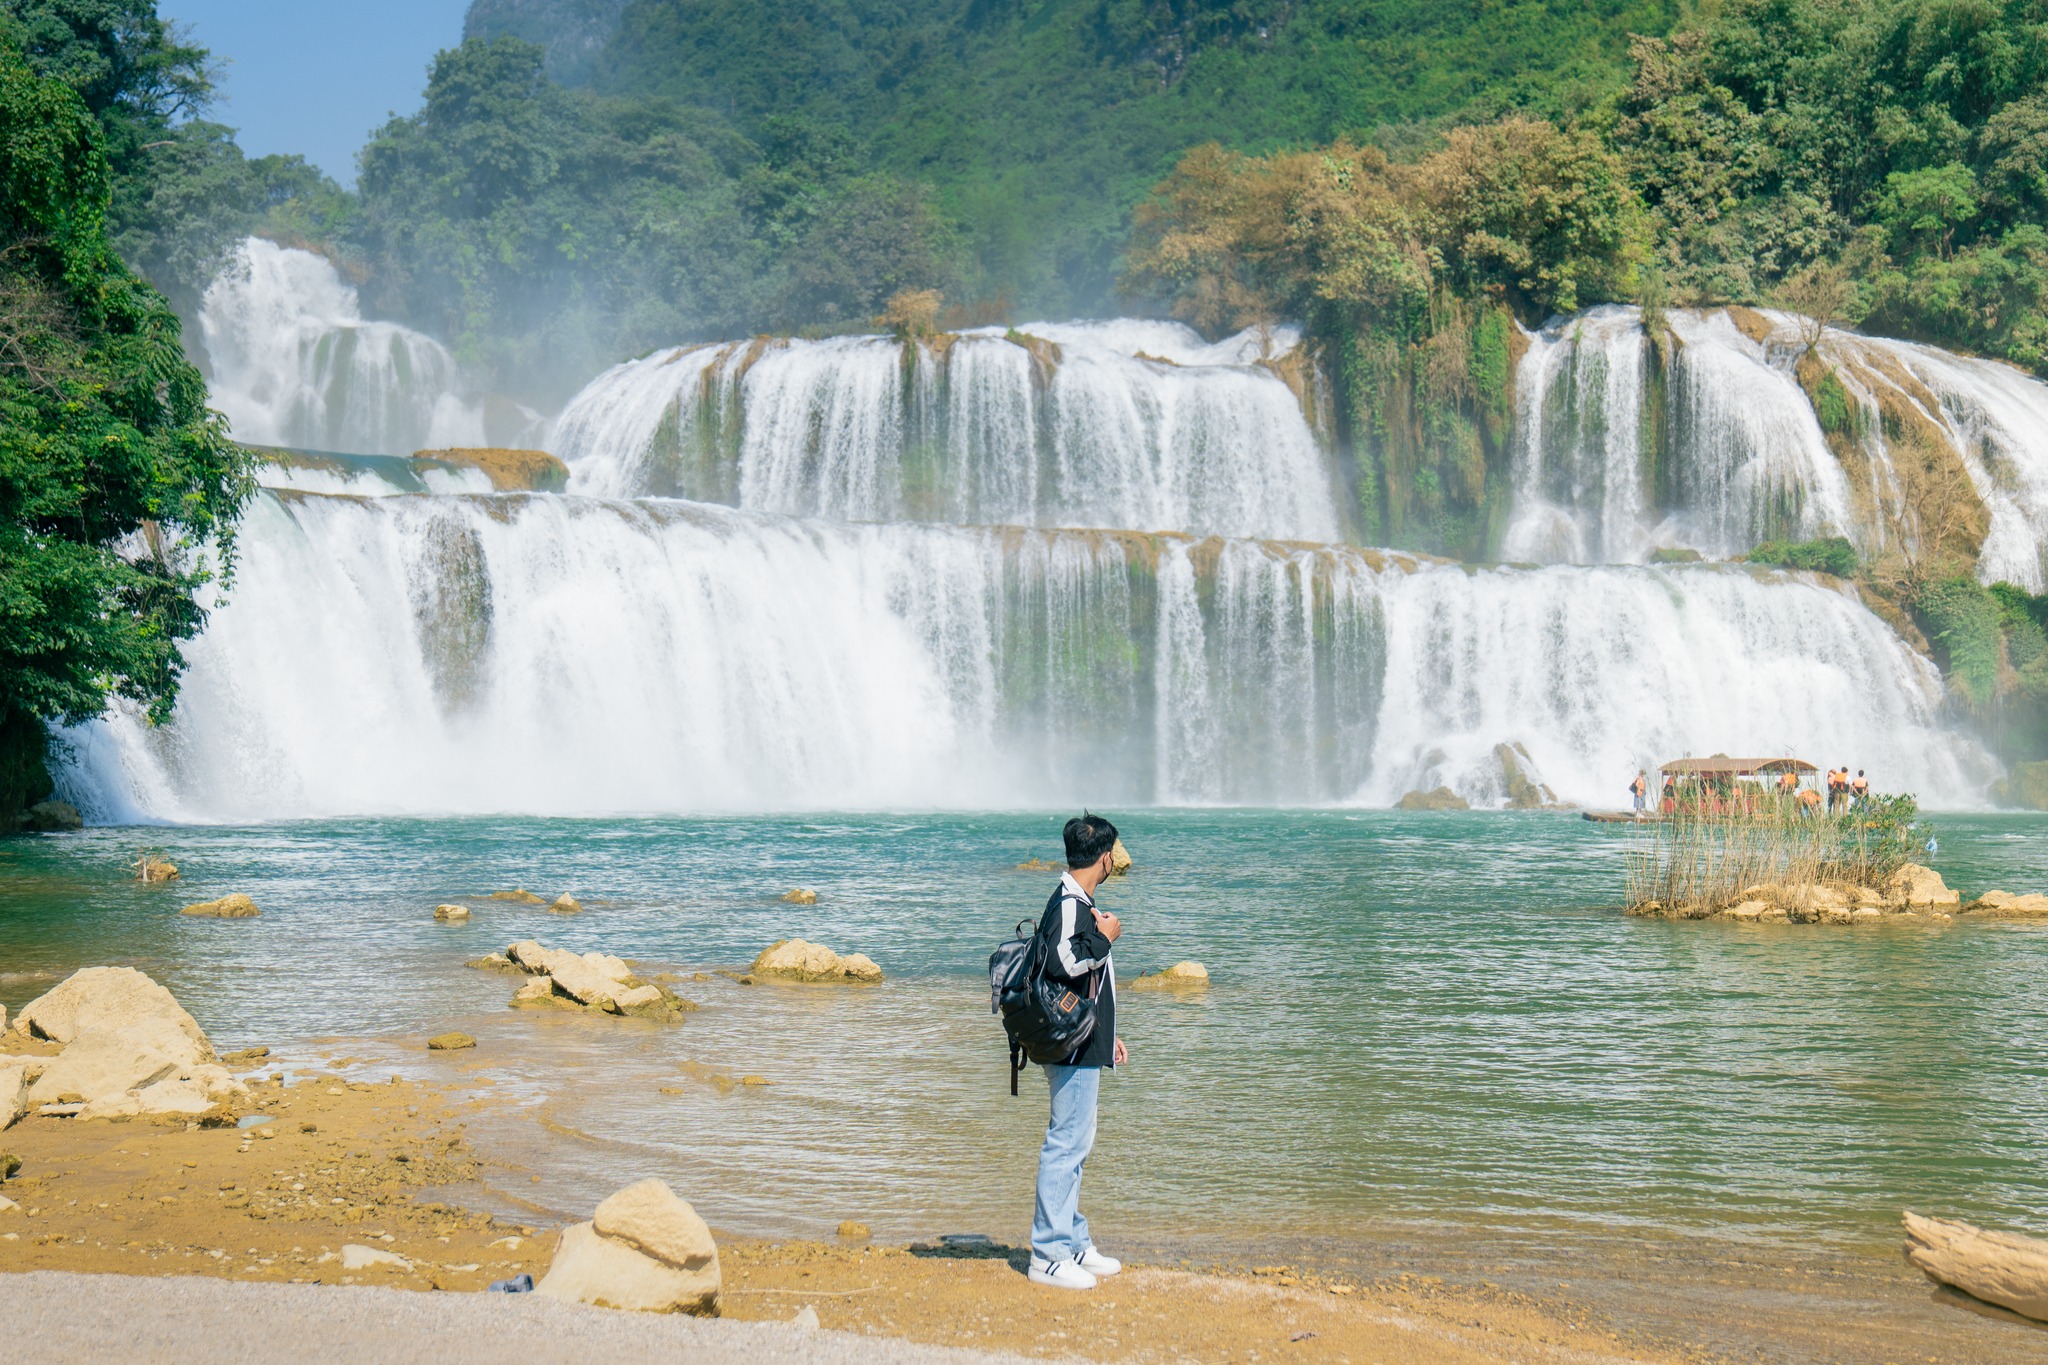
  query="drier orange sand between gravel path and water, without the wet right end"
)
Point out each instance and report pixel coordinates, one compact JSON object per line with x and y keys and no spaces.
{"x":388,"y":1168}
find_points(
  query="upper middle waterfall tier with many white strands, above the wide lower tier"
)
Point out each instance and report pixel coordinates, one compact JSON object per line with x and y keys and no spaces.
{"x":1082,"y":425}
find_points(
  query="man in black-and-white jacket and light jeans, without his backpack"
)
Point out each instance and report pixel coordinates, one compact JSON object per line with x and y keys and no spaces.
{"x":1078,"y":938}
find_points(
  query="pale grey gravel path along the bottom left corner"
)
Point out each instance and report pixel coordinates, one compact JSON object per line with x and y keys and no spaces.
{"x":60,"y":1317}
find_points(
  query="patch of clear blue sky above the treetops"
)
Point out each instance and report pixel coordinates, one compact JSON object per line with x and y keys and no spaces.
{"x":316,"y":77}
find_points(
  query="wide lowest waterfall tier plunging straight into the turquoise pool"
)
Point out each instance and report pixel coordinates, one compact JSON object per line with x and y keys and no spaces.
{"x":579,"y":656}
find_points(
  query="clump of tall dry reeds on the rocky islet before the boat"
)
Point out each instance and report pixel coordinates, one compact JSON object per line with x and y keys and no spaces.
{"x":1701,"y":861}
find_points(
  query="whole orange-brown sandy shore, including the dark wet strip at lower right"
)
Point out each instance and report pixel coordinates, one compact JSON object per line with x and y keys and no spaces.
{"x":390,"y":1165}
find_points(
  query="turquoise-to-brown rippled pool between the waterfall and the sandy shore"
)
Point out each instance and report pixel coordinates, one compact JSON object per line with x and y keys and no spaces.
{"x":1416,"y":1020}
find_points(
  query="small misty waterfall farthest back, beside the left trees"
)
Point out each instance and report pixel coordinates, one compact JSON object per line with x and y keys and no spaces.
{"x":294,"y":363}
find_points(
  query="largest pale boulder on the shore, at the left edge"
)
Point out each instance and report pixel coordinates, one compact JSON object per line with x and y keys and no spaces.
{"x":128,"y":1053}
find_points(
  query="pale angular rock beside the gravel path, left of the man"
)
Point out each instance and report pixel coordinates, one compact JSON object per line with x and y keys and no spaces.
{"x":644,"y":1249}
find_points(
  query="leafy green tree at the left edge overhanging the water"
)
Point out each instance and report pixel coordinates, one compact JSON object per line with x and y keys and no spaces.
{"x":116,"y":482}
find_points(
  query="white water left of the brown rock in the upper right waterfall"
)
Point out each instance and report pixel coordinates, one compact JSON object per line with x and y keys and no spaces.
{"x":1746,"y":455}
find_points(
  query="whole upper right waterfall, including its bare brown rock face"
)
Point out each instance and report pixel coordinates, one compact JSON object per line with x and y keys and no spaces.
{"x":1723,"y":431}
